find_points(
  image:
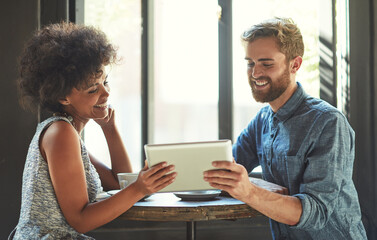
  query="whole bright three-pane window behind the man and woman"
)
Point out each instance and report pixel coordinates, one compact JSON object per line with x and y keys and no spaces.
{"x":183,"y":65}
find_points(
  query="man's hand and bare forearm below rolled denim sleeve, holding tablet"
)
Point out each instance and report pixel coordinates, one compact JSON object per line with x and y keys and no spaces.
{"x":263,"y":196}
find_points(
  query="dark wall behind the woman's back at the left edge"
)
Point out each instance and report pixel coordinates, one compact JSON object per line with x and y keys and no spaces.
{"x":18,"y":19}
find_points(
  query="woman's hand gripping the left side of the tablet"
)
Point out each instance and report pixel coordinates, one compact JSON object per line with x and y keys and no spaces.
{"x":151,"y":180}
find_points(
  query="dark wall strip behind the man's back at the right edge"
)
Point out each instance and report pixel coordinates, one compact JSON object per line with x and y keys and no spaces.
{"x":363,"y":106}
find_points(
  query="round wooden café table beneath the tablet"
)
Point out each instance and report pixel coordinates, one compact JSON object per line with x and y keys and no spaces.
{"x":168,"y":207}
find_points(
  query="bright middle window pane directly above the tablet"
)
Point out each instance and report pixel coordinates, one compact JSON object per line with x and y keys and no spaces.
{"x":185,"y":71}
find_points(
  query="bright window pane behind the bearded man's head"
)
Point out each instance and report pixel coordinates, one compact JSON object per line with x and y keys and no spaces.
{"x":249,"y":12}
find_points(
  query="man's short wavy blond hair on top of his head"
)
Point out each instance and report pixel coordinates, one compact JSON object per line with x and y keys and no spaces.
{"x":285,"y":31}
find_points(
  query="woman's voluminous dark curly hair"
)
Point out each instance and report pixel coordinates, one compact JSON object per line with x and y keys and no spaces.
{"x":58,"y":58}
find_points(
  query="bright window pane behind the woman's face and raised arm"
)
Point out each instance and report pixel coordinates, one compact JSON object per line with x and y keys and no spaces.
{"x":121,"y":21}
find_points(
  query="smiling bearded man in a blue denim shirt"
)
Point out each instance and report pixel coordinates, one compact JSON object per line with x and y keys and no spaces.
{"x":302,"y":144}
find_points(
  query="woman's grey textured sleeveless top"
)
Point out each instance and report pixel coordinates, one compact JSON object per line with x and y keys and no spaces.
{"x":41,"y":216}
